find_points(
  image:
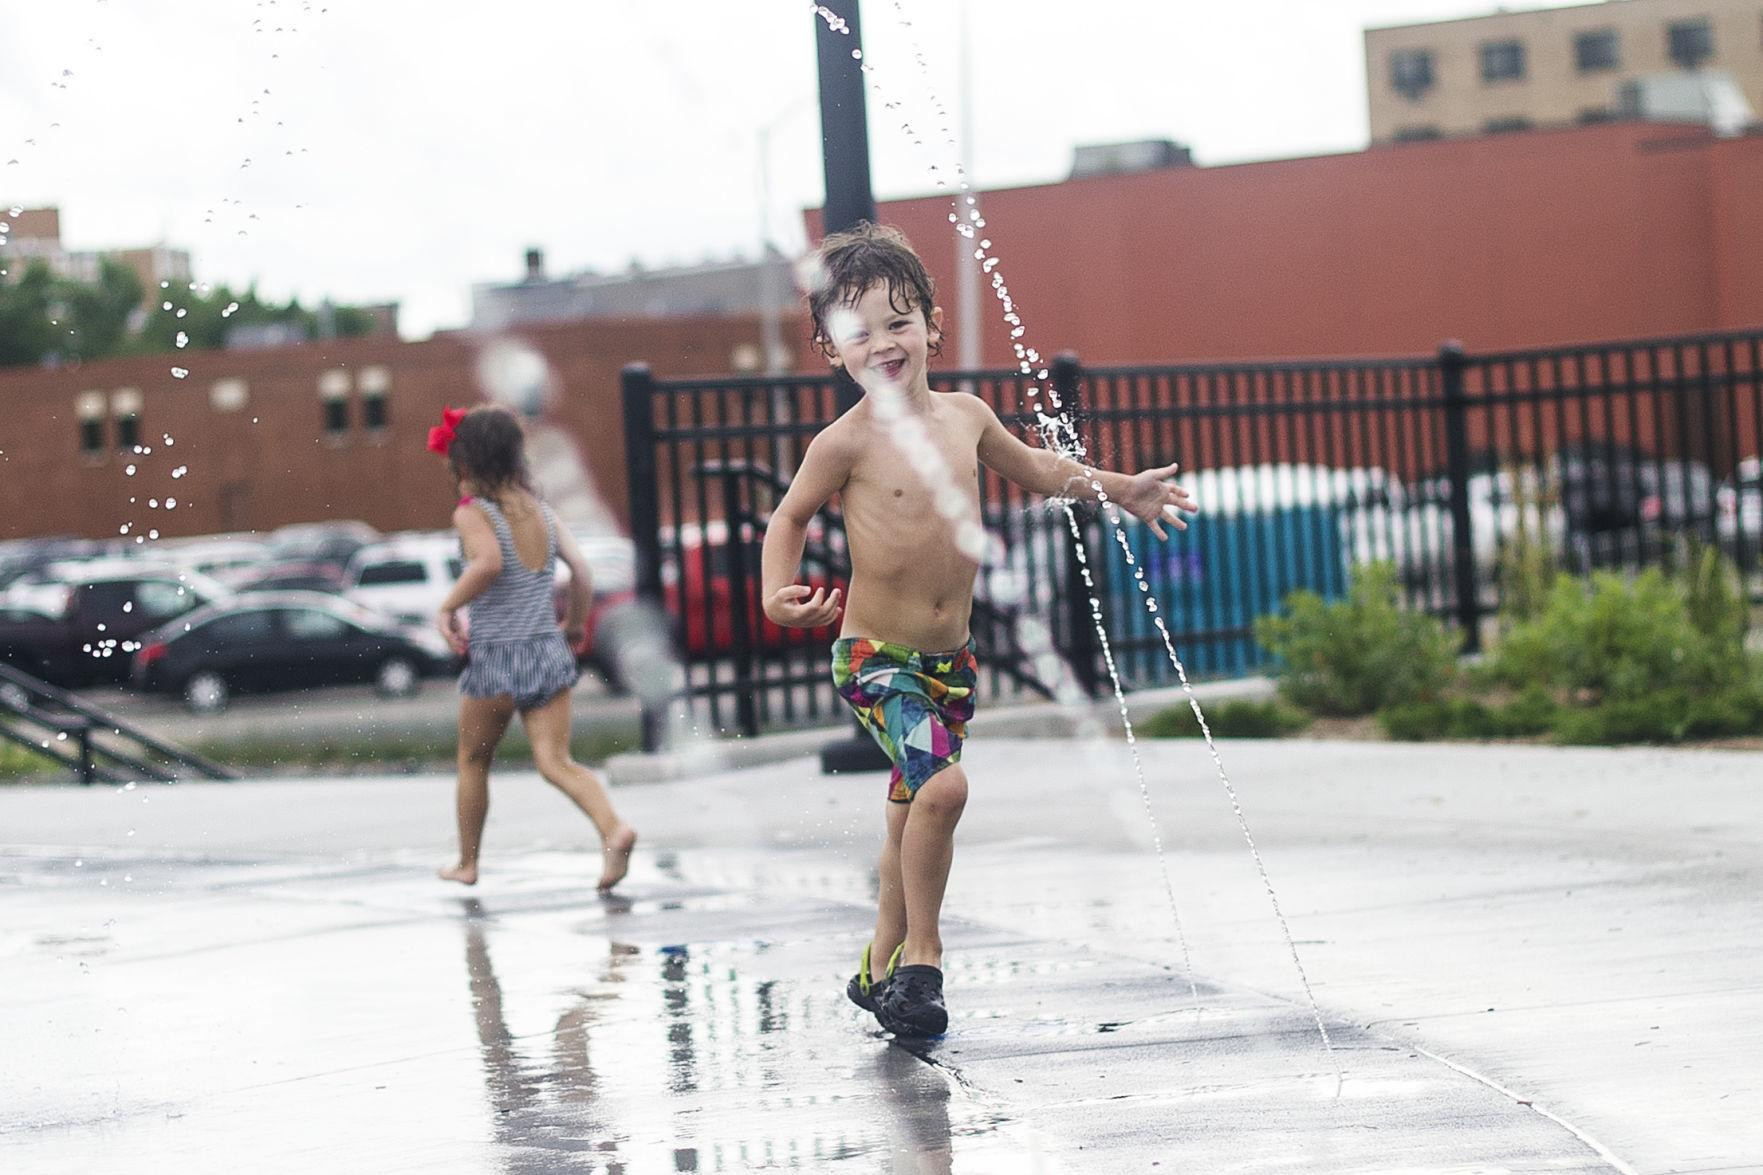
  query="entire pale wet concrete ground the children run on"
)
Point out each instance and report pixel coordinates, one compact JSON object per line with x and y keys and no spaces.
{"x":1528,"y":959}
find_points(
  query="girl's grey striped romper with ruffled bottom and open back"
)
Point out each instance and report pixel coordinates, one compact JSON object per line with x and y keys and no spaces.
{"x":514,"y":643}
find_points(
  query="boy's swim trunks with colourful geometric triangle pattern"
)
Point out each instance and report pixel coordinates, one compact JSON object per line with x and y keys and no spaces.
{"x":914,"y":705}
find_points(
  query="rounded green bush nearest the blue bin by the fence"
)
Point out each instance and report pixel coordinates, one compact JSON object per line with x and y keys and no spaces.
{"x":1362,"y":654}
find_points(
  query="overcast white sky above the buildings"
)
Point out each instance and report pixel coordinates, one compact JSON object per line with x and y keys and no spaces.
{"x":408,"y":149}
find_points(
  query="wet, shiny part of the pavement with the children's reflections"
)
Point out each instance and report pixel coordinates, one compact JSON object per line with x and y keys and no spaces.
{"x":357,"y":1017}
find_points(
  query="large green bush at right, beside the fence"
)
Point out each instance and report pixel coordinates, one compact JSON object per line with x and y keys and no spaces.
{"x":1625,"y":641}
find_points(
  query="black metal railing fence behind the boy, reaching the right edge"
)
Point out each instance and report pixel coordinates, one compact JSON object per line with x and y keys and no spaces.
{"x":1611,"y":454}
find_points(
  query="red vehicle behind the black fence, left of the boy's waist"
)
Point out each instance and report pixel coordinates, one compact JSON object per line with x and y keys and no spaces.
{"x":699,"y":592}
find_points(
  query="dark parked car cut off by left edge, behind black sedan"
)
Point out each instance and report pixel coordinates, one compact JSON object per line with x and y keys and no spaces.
{"x":77,"y":624}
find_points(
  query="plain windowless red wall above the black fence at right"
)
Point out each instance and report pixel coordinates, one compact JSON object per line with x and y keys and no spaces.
{"x":1538,"y":239}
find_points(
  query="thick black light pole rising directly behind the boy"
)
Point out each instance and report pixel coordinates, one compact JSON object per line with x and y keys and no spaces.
{"x":845,"y":158}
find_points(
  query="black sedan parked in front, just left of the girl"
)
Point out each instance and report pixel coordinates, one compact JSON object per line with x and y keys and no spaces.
{"x":285,"y":641}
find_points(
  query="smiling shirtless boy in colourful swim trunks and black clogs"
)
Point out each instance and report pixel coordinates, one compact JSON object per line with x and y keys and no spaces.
{"x":905,"y":659}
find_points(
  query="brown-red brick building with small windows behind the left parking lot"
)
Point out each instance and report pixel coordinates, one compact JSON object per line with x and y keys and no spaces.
{"x":272,"y":463}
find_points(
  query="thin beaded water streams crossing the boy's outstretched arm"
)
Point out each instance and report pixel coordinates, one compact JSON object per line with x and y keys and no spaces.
{"x":1059,"y":433}
